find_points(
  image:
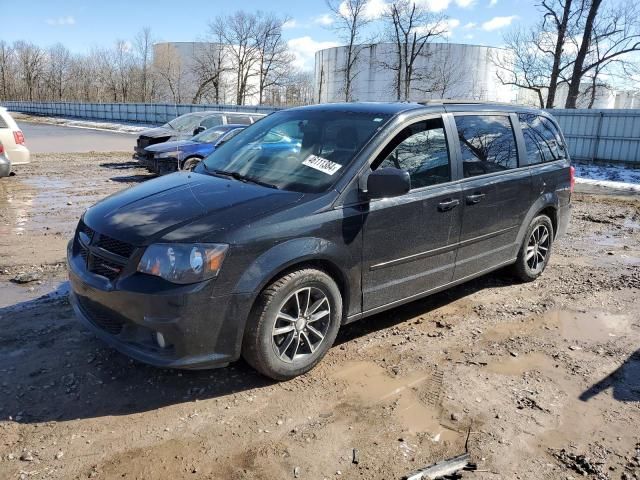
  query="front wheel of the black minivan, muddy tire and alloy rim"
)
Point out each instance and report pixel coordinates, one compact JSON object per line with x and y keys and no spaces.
{"x":293,"y":324}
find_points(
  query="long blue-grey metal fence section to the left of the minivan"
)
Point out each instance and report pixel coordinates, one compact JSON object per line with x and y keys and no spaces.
{"x":150,"y":113}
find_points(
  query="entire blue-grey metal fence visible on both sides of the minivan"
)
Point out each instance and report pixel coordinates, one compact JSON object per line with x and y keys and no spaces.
{"x":592,"y":135}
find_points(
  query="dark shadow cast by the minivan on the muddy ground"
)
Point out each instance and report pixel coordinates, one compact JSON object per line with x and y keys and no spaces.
{"x":55,"y":370}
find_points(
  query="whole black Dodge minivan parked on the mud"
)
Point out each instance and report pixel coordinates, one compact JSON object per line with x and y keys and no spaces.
{"x":315,"y":217}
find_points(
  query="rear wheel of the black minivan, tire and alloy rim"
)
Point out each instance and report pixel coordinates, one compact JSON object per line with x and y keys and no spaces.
{"x":535,"y":251}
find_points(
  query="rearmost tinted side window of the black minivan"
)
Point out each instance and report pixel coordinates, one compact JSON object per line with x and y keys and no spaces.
{"x":542,"y":139}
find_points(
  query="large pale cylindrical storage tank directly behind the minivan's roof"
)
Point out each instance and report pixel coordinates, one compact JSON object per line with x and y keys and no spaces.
{"x":449,"y":71}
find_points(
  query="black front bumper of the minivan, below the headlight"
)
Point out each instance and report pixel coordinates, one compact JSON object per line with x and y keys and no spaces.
{"x":199,"y":330}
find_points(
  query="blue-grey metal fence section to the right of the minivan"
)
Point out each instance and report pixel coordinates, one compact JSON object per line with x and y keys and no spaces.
{"x":601,"y":135}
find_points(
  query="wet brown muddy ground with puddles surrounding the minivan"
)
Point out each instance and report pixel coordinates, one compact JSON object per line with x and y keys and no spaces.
{"x":543,"y":378}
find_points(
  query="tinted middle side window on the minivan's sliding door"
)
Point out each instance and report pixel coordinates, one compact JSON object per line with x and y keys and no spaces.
{"x":487,"y":144}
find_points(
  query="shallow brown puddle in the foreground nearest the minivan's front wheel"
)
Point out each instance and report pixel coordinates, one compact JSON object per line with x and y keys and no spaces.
{"x":372,"y":385}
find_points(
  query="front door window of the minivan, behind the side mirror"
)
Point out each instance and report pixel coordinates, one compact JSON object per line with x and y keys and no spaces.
{"x":420,"y":149}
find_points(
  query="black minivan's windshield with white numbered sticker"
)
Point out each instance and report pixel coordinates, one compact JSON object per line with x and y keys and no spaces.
{"x":298,"y":150}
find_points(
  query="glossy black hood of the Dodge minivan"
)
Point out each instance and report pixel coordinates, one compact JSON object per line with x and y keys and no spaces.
{"x":189,"y":204}
